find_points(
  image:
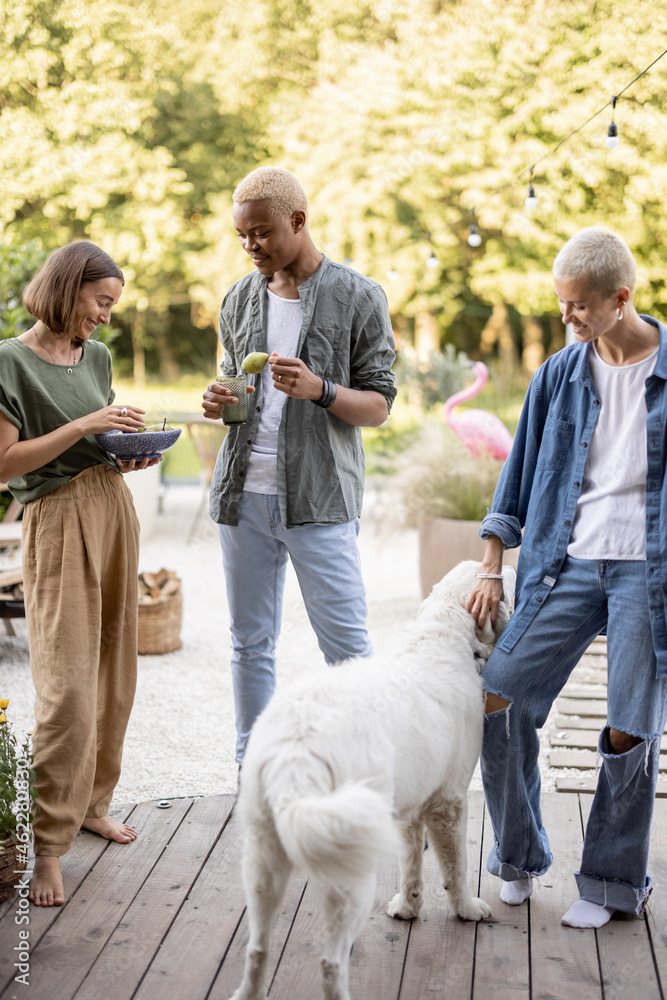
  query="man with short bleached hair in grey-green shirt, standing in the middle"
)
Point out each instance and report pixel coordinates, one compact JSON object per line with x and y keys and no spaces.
{"x":289,"y":483}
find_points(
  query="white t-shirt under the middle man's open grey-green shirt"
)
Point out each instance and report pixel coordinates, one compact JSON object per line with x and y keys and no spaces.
{"x":282,"y":335}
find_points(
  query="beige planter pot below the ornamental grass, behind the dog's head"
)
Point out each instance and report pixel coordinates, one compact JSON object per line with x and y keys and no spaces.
{"x":444,"y":543}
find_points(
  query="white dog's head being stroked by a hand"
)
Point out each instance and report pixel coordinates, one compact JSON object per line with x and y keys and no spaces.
{"x":454,"y":590}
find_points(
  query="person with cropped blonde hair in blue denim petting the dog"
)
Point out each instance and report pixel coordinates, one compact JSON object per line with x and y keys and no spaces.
{"x":585,"y":480}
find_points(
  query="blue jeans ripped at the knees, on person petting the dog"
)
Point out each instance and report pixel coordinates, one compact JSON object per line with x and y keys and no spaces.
{"x":587,"y":595}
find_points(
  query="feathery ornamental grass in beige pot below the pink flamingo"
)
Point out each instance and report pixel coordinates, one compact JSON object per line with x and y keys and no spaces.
{"x":444,"y":492}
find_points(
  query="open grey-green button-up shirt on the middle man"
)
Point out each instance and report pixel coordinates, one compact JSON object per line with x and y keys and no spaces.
{"x":346,"y":336}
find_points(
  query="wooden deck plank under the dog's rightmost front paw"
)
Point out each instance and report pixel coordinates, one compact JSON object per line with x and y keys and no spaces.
{"x":440,"y":959}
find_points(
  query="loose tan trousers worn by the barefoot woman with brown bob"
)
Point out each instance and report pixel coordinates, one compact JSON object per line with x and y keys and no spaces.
{"x":80,"y":555}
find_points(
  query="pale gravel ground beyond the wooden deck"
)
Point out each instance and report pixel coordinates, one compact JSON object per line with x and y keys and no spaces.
{"x":180,"y":739}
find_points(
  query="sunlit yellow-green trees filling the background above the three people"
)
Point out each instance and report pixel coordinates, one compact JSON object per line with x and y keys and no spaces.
{"x":130,"y":123}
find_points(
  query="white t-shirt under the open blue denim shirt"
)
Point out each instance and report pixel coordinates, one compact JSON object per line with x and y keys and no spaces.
{"x":610,"y":520}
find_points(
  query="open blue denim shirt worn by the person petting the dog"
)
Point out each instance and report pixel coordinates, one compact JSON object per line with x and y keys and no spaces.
{"x":541,"y":481}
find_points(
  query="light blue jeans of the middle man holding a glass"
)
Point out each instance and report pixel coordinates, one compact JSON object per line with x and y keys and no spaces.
{"x":254,"y":555}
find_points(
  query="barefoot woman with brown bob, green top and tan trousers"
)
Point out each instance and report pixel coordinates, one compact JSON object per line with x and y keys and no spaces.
{"x":80,"y":549}
